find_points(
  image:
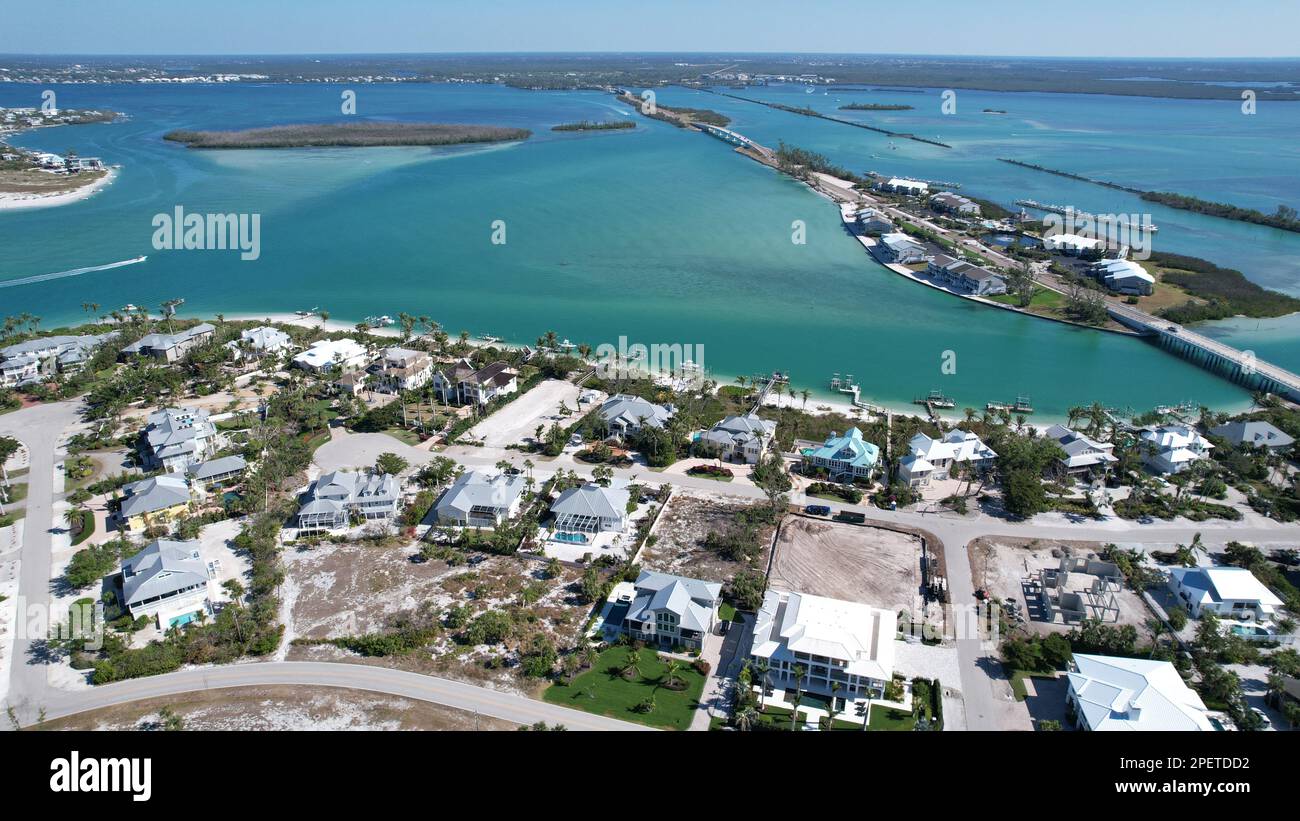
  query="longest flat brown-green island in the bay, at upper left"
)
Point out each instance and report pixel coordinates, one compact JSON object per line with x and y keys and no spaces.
{"x":349,"y":136}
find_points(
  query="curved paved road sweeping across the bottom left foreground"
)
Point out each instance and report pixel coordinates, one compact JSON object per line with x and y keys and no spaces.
{"x":505,"y":706}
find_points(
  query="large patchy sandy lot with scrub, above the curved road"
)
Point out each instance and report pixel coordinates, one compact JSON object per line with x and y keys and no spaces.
{"x":349,"y":590}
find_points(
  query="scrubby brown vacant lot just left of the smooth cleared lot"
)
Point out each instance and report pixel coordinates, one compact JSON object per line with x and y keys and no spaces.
{"x":681,"y":533}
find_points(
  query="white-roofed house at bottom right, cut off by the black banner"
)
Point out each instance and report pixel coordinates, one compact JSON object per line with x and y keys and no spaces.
{"x":1134,"y":694}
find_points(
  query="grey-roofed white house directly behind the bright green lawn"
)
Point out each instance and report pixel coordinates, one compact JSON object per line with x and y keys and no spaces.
{"x":668,"y":611}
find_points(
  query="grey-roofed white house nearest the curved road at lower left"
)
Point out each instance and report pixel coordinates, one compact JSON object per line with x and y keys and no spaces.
{"x":167,"y":583}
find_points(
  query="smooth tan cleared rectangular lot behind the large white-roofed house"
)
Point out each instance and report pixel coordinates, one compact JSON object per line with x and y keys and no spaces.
{"x":852,"y":563}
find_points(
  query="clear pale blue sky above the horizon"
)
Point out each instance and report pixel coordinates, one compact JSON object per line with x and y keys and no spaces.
{"x":1095,"y":28}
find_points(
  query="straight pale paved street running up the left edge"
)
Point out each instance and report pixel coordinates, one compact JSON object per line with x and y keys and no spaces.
{"x":42,"y":431}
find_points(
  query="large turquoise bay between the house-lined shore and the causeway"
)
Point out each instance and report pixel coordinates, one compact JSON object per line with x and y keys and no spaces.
{"x":653,"y":234}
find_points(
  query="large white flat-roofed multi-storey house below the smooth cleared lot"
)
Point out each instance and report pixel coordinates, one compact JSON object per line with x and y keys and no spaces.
{"x":834,"y":641}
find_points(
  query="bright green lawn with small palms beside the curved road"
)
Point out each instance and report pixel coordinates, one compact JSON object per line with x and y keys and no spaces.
{"x":604,"y":690}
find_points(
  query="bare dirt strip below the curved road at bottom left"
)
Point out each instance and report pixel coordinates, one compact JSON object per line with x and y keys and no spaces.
{"x":283,"y":709}
